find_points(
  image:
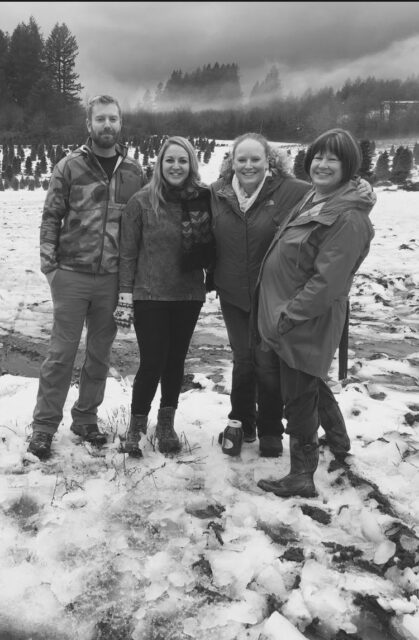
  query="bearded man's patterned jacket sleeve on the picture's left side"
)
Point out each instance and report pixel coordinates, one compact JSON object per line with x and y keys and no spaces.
{"x":55,"y":208}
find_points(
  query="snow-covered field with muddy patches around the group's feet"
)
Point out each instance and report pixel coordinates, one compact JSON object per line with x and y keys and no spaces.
{"x":98,"y":546}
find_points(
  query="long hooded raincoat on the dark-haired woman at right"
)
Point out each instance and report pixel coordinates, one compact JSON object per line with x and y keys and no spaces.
{"x":306,"y":277}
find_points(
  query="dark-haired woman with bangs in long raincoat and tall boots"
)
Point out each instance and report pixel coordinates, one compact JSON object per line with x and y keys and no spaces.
{"x":303,"y":289}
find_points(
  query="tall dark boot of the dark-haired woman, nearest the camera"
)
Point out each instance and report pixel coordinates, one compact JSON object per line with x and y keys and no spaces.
{"x":299,"y":481}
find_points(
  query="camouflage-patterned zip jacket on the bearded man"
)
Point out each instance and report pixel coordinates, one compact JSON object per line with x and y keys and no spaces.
{"x":81,"y":217}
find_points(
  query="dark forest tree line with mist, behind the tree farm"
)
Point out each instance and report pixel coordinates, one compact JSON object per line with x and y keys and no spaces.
{"x":40,"y":99}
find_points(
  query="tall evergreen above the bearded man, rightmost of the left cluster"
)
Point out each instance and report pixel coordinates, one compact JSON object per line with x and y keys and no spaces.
{"x":61,"y":50}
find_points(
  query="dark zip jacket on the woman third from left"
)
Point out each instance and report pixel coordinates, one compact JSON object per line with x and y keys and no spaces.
{"x":242,"y":239}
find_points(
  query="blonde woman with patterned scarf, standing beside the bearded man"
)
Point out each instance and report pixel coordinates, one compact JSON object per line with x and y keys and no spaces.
{"x":166,"y":243}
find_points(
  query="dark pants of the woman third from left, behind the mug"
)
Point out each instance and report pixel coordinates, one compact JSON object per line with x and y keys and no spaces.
{"x":255,"y":378}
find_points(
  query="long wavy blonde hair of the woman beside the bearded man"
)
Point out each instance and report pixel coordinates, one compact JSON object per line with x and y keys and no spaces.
{"x":156,"y":185}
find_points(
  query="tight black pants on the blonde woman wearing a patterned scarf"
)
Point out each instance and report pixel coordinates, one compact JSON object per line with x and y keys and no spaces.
{"x":164,"y":331}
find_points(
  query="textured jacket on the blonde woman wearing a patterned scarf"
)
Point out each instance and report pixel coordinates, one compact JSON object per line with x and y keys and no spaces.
{"x":151,"y":252}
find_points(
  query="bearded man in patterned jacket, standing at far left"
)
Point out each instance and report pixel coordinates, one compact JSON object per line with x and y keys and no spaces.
{"x":79,"y":241}
